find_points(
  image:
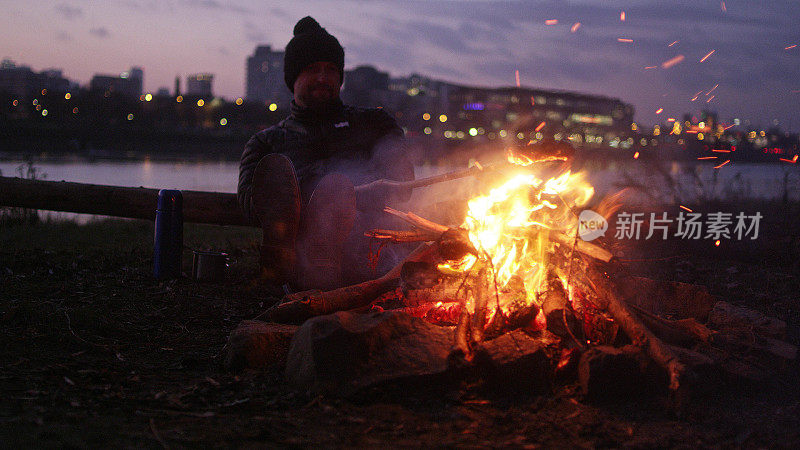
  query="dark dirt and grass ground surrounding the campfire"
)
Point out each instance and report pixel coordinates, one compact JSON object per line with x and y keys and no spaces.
{"x":99,"y":354}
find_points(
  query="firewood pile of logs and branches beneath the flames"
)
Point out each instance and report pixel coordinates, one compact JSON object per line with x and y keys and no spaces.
{"x":556,"y":305}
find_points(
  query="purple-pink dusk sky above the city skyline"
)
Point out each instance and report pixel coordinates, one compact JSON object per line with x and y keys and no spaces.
{"x":468,"y":42}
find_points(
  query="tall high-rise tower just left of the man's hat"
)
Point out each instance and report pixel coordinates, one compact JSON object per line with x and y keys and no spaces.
{"x":264,"y":81}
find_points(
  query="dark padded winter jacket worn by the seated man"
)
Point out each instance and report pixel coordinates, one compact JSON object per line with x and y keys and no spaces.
{"x":364,"y":143}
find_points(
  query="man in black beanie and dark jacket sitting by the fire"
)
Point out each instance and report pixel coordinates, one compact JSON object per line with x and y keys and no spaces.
{"x":297,"y":178}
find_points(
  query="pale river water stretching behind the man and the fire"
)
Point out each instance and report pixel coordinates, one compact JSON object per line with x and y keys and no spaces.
{"x":665,"y":182}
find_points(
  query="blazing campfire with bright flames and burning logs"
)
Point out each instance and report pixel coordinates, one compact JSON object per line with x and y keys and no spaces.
{"x":517,"y":264}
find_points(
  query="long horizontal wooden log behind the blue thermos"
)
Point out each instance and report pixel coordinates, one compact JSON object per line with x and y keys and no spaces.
{"x":136,"y":203}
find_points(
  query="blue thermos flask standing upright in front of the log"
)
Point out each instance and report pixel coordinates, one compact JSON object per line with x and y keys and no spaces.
{"x":168,"y":235}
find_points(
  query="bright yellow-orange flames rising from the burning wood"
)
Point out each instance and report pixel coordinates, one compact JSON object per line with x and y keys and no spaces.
{"x":512,"y":228}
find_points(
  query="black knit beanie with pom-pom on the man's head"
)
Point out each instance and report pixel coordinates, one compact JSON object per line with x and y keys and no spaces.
{"x":310,"y":44}
